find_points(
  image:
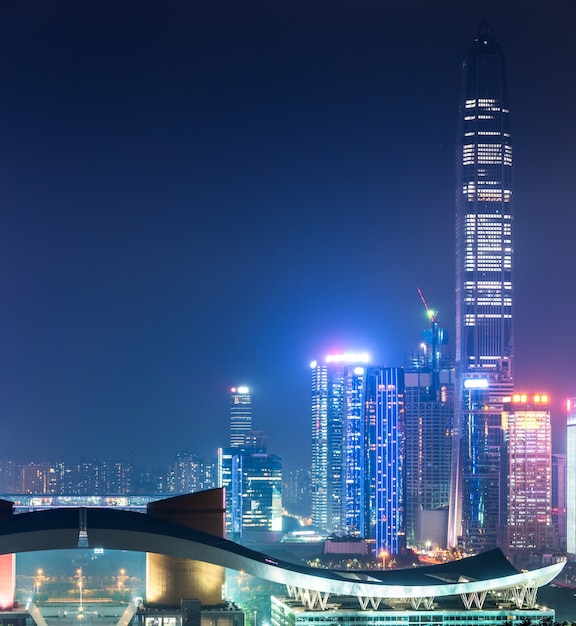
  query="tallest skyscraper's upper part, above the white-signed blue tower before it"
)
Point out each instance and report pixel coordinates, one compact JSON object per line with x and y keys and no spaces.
{"x":484,"y":212}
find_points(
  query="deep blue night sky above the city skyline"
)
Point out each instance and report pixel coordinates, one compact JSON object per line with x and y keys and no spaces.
{"x":195,"y":195}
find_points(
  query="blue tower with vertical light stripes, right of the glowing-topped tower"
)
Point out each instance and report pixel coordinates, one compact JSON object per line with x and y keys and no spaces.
{"x":384,"y":449}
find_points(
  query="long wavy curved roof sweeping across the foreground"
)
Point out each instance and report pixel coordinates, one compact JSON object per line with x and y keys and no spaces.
{"x":68,"y":528}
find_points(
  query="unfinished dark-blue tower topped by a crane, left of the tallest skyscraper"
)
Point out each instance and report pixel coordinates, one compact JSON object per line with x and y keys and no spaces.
{"x":429,"y":418}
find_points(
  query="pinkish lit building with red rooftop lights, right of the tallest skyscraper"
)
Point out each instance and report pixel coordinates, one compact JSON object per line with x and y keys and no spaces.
{"x":527,"y":473}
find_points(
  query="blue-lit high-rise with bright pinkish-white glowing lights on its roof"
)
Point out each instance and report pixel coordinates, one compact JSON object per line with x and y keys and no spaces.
{"x":337,"y":384}
